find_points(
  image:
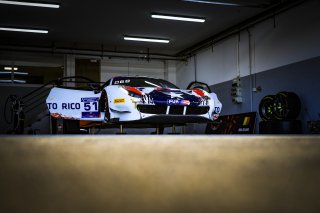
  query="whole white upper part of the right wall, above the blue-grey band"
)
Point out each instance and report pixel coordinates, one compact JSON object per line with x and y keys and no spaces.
{"x":296,"y":37}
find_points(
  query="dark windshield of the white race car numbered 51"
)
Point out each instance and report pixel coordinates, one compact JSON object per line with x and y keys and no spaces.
{"x":143,"y":82}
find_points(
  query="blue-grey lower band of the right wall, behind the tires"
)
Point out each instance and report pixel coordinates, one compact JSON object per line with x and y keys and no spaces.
{"x":300,"y":77}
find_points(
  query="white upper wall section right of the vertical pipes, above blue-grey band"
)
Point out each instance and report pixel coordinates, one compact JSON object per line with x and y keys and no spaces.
{"x":295,"y":38}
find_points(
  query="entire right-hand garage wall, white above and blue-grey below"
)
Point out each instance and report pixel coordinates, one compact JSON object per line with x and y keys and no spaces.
{"x":284,"y":56}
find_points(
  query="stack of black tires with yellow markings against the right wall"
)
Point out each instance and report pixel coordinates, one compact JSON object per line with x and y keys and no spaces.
{"x":279,"y":114}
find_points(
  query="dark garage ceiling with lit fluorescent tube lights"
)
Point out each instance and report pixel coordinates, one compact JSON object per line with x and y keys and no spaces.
{"x":100,"y":25}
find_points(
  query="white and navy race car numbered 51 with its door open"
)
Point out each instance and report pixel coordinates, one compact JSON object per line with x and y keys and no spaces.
{"x":138,"y":99}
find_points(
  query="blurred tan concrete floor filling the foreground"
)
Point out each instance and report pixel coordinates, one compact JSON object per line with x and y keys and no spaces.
{"x":159,"y":174}
